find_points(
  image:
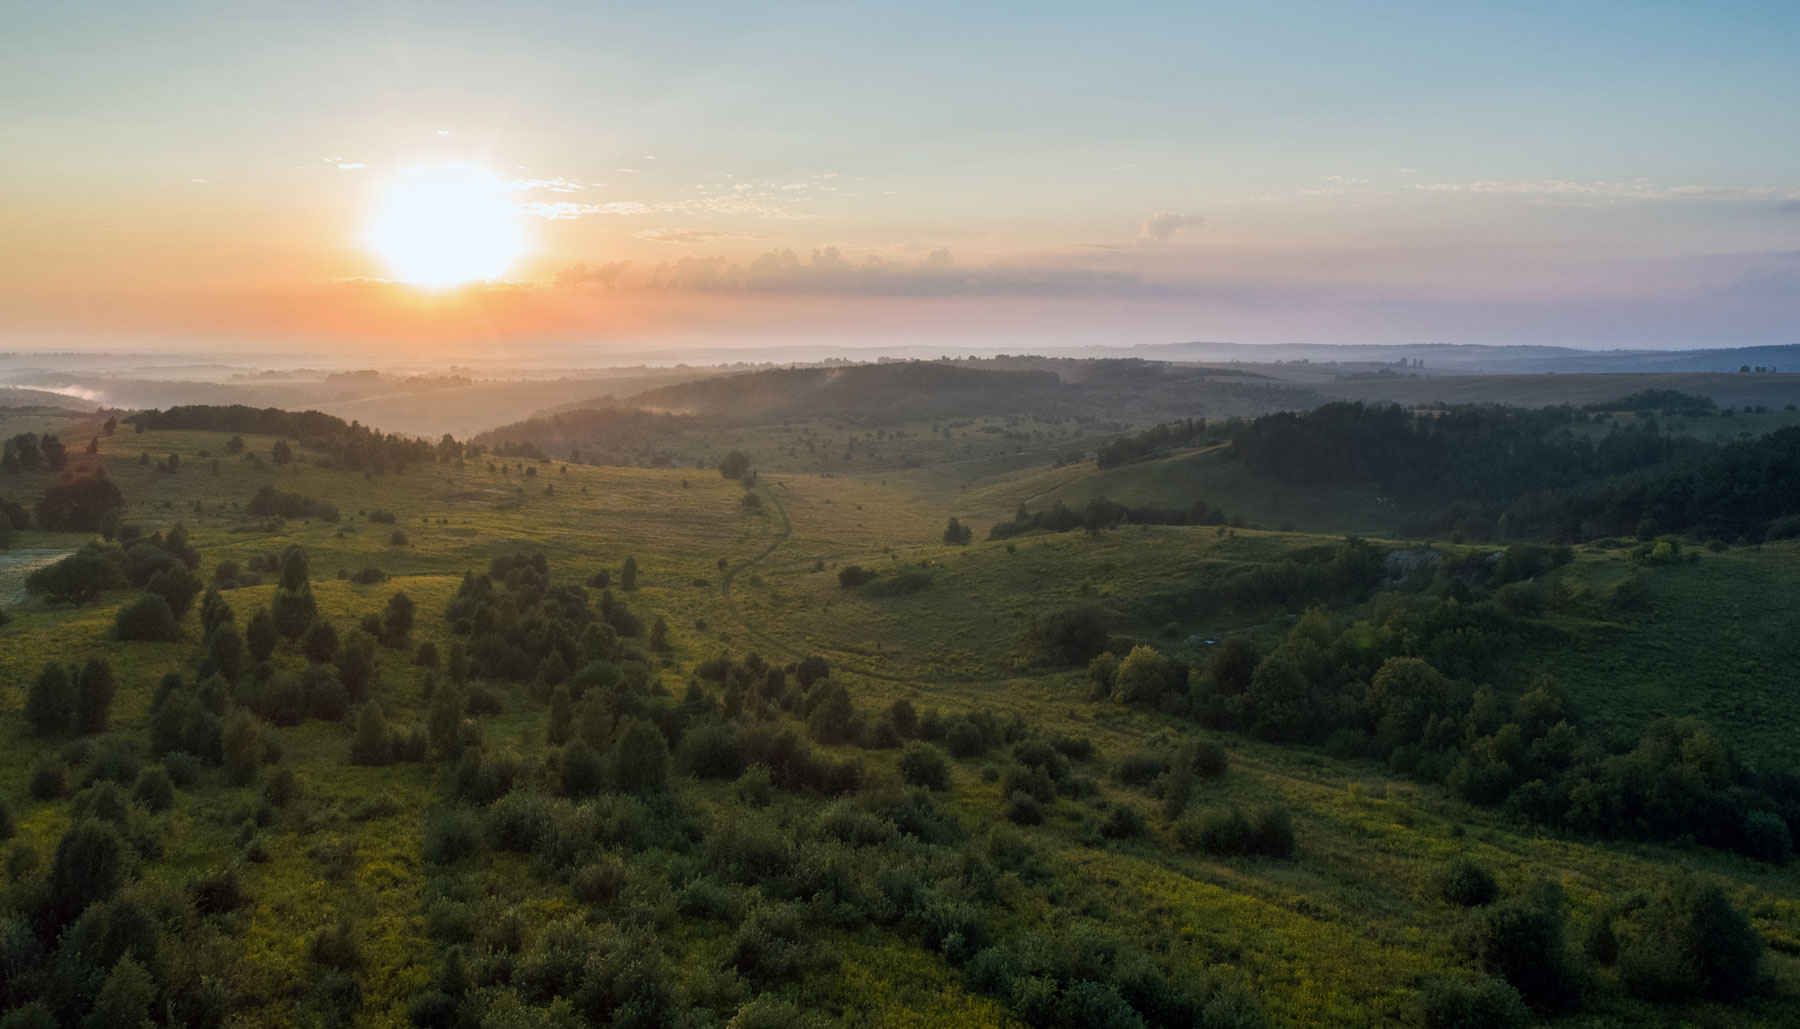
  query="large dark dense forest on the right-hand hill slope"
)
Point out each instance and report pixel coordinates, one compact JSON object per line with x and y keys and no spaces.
{"x":1529,"y":474}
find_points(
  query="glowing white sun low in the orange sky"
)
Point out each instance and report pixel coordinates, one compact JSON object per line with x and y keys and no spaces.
{"x":447,"y":226}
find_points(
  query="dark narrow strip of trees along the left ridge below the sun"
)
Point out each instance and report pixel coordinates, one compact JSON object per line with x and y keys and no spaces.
{"x":348,"y":443}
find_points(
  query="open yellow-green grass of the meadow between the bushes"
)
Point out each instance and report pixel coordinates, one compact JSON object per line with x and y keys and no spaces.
{"x":1345,"y":933}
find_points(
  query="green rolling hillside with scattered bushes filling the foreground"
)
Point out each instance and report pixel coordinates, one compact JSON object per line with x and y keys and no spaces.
{"x":757,"y":789}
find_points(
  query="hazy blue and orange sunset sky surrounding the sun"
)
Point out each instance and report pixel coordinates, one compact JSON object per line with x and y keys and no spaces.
{"x":971,"y":175}
